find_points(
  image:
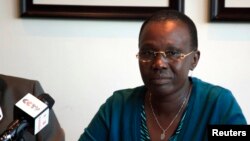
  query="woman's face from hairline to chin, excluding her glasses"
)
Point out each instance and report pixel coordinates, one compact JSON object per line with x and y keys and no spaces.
{"x":162,"y":75}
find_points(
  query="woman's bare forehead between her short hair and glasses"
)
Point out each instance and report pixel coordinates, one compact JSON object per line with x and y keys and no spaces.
{"x":169,"y":33}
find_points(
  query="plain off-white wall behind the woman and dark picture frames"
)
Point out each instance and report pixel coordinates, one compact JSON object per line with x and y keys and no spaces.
{"x":81,"y":62}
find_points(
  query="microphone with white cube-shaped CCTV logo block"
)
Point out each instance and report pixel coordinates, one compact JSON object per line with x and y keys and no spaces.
{"x":29,"y":113}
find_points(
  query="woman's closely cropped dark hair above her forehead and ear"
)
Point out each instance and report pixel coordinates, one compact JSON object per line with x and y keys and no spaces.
{"x":165,"y":15}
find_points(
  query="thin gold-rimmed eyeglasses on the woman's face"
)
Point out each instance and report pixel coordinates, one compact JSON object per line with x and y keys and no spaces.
{"x":149,"y":55}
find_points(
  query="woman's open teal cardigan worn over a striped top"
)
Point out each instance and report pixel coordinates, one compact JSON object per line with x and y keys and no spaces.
{"x":119,"y":118}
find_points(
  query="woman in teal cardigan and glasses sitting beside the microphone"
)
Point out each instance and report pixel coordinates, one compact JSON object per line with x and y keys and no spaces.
{"x":171,"y":105}
